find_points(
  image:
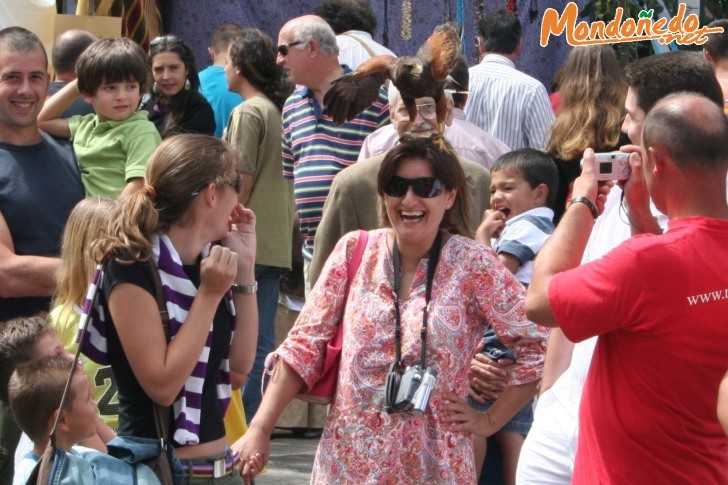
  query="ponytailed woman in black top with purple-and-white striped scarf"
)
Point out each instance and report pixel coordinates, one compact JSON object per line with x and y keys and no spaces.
{"x":166,"y":235}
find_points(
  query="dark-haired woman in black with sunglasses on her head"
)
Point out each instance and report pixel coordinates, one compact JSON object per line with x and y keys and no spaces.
{"x":175,"y":104}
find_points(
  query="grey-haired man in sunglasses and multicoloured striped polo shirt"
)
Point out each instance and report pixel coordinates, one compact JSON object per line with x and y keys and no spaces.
{"x":315,"y":149}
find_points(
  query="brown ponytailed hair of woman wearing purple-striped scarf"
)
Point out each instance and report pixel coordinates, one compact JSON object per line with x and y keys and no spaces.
{"x":177,"y":171}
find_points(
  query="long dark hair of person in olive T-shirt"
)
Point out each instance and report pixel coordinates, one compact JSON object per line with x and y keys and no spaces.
{"x":254,"y":54}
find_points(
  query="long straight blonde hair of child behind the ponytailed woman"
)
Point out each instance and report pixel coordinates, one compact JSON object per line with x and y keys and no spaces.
{"x":87,"y":222}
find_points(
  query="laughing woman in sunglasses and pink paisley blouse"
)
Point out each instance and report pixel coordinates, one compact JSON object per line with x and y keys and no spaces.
{"x":417,"y":307}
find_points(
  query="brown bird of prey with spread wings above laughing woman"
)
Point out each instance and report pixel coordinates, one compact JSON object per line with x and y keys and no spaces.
{"x":419,"y":76}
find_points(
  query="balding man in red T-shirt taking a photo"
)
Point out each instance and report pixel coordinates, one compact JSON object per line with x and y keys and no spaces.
{"x":652,"y":294}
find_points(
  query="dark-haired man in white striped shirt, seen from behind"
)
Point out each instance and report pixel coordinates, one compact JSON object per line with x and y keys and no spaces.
{"x":508,"y":104}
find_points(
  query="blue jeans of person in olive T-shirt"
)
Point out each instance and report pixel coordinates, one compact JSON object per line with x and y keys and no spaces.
{"x":269,"y":280}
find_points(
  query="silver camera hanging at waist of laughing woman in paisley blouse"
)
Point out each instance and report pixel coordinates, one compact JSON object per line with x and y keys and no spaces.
{"x":409,"y":392}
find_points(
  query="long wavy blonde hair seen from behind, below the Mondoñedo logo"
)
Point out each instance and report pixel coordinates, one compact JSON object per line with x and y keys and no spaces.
{"x":593,"y":89}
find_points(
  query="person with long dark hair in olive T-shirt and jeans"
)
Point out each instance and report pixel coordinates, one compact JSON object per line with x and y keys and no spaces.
{"x":254,"y":130}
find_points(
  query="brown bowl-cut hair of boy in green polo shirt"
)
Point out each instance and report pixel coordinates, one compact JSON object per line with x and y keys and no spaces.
{"x":112,"y":60}
